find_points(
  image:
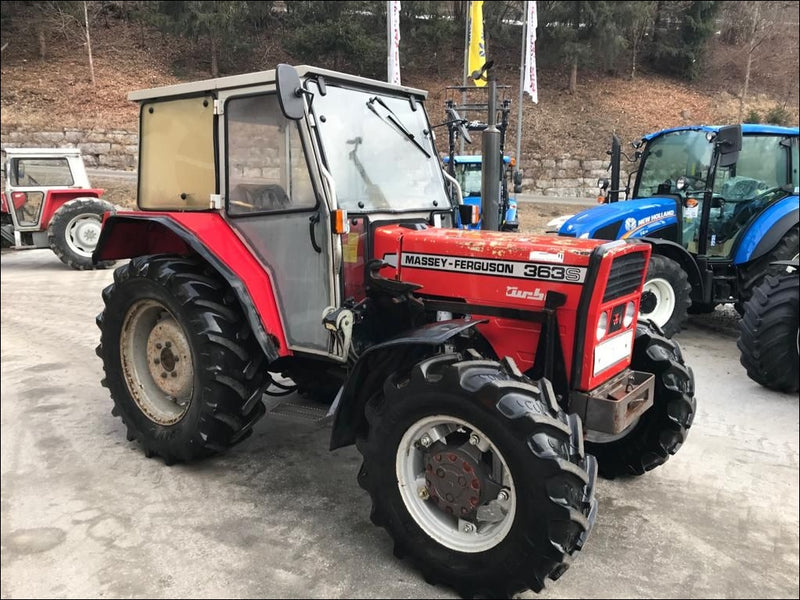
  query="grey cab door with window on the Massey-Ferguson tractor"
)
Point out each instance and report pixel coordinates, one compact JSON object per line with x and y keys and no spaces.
{"x":273,"y":200}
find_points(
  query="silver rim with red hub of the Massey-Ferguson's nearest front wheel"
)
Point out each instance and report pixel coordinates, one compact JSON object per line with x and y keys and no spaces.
{"x":477,"y":479}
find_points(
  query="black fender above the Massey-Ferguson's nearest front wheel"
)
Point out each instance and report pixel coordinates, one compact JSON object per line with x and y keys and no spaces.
{"x":376,"y":364}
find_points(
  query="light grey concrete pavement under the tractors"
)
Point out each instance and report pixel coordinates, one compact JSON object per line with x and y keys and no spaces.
{"x":85,"y":514}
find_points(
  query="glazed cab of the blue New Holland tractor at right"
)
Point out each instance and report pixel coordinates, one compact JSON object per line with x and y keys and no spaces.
{"x":717,"y":197}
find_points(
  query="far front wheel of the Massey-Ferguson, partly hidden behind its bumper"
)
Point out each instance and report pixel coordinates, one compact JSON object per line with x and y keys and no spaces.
{"x":660,"y":432}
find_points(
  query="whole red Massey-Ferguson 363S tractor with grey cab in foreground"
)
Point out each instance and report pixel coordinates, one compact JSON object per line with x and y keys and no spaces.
{"x":295,"y":224}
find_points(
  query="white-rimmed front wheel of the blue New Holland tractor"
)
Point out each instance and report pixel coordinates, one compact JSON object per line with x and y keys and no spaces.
{"x":666,"y":295}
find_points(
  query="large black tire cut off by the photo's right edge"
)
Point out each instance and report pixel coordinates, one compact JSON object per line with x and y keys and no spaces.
{"x":769,"y":334}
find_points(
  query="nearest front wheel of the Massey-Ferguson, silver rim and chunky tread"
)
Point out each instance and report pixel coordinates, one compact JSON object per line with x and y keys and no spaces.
{"x":478,"y":476}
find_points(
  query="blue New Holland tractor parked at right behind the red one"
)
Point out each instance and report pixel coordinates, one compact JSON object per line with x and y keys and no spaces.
{"x":718,"y":204}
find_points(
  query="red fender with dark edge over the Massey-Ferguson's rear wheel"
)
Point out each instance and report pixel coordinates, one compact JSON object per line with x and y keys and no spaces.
{"x":209,"y":236}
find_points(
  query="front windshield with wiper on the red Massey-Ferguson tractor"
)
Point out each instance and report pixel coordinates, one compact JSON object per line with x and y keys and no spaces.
{"x":378,"y":150}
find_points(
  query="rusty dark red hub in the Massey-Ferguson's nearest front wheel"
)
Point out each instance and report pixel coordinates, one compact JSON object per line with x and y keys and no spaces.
{"x":455,"y":478}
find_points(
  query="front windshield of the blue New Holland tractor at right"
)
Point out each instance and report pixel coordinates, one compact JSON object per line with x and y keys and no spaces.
{"x":677,"y":154}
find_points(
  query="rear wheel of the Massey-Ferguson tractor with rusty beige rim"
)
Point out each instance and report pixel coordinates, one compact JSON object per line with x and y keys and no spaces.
{"x":183,"y":368}
